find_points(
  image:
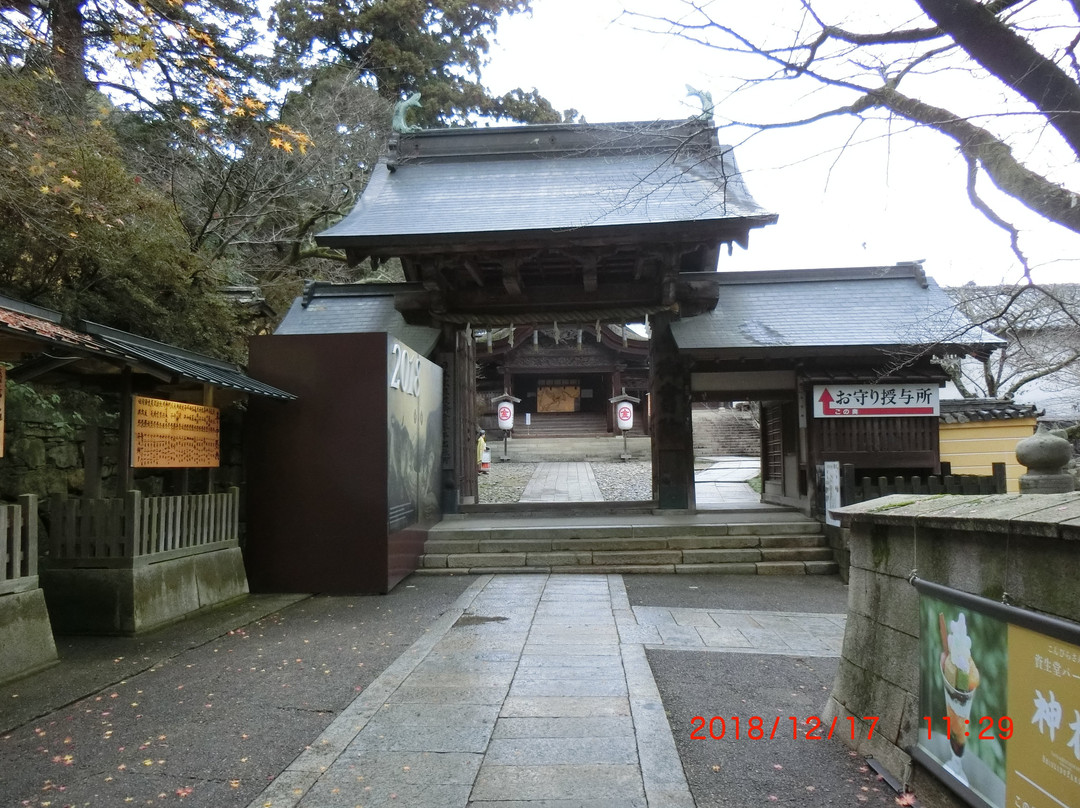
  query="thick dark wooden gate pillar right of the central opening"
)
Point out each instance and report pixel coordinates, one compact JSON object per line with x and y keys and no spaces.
{"x":671,"y":422}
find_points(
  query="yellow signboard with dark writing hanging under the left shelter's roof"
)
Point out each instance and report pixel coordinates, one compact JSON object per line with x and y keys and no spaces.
{"x":170,"y":435}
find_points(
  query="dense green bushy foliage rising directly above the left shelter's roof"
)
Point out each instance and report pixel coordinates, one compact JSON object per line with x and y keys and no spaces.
{"x":83,"y":235}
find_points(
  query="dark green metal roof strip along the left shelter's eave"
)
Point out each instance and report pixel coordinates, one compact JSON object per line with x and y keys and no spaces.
{"x":180,"y":362}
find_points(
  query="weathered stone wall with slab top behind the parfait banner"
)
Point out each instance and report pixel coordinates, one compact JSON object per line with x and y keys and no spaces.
{"x":1021,"y":545}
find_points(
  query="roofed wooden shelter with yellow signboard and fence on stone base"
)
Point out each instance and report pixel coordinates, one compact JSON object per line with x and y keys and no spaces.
{"x":118,"y":562}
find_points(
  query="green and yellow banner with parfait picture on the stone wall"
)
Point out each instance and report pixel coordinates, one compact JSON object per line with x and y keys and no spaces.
{"x":1000,"y":702}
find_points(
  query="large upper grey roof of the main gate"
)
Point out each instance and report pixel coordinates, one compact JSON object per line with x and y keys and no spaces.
{"x":549,"y":179}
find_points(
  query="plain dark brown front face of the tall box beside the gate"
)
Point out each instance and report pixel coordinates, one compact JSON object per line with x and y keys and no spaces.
{"x":317,"y":466}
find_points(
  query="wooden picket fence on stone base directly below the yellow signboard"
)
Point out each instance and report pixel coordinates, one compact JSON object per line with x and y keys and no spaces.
{"x":114,"y":532}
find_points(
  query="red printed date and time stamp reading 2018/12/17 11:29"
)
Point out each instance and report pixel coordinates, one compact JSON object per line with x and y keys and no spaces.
{"x":757,"y":729}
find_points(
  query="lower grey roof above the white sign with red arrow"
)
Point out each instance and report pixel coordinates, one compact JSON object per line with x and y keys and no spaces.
{"x":796,"y":309}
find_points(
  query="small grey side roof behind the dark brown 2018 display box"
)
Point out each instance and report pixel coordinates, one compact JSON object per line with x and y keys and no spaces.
{"x":350,"y":309}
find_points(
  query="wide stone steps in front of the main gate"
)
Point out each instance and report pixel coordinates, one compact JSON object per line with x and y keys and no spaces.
{"x":747,"y":544}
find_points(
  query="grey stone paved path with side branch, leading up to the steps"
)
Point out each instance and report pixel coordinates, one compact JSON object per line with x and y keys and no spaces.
{"x":530,"y":690}
